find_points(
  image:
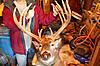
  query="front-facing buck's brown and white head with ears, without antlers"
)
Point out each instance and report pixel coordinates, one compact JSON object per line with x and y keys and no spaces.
{"x":47,"y":50}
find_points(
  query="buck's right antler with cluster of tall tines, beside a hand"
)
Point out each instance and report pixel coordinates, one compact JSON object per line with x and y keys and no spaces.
{"x":63,"y":13}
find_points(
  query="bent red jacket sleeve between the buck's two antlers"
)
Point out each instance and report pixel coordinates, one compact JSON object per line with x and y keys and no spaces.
{"x":44,"y":19}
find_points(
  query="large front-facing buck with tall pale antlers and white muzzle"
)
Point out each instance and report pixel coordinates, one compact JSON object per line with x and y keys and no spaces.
{"x":48,"y":46}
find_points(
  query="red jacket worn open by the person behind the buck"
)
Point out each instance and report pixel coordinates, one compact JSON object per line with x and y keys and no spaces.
{"x":17,"y":42}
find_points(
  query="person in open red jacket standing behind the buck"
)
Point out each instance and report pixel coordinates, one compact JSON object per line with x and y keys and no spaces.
{"x":18,"y":40}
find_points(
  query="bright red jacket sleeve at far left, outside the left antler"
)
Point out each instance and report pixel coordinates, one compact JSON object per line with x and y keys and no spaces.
{"x":8,"y":19}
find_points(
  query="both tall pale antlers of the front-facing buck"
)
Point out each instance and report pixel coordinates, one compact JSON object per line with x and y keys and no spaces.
{"x":64,"y":14}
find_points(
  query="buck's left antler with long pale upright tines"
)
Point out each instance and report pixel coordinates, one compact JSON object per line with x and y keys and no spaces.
{"x":21,"y":23}
